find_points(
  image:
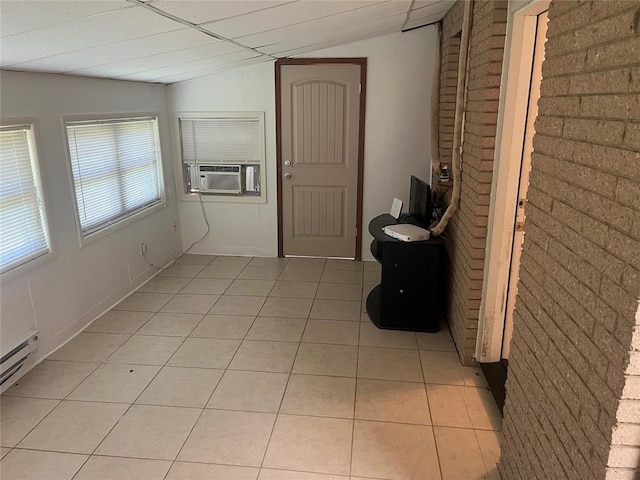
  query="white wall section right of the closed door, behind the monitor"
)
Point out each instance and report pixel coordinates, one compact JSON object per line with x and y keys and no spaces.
{"x":399,"y":74}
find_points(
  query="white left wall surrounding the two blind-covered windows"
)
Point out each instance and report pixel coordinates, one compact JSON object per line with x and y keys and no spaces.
{"x":60,"y":294}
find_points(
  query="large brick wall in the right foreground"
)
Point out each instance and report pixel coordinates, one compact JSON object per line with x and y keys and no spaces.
{"x":580,"y":268}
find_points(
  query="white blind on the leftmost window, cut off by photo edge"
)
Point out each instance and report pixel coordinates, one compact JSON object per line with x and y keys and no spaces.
{"x":23,"y":232}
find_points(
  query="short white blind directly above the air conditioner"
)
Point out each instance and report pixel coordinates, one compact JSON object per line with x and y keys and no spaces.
{"x":222,"y":139}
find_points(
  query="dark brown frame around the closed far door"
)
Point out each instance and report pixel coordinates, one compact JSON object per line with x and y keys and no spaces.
{"x":362,"y":62}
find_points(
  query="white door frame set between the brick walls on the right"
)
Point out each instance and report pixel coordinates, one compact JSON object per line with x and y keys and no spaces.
{"x":512,"y":114}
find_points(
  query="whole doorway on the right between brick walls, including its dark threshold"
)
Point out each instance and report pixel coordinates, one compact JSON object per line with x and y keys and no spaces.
{"x":520,"y":90}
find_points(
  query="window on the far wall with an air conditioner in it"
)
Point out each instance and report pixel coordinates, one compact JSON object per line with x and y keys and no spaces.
{"x":223,"y":154}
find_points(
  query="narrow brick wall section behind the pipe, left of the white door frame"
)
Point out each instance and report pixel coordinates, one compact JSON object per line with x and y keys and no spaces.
{"x":467,"y":232}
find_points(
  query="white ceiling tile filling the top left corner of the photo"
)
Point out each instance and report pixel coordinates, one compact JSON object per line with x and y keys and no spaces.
{"x":22,"y":16}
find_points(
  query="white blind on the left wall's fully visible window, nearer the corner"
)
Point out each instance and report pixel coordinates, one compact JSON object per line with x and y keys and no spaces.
{"x":116,"y":170}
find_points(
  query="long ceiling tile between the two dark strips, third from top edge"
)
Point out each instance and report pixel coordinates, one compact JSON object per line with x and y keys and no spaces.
{"x":369,"y":13}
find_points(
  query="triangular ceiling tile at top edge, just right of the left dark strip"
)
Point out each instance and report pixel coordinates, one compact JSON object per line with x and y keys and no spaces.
{"x":199,"y":11}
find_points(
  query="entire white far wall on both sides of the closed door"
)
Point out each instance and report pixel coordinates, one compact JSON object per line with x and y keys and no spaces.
{"x":399,"y":74}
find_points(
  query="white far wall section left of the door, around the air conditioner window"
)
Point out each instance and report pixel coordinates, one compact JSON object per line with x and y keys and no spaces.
{"x":236,"y":228}
